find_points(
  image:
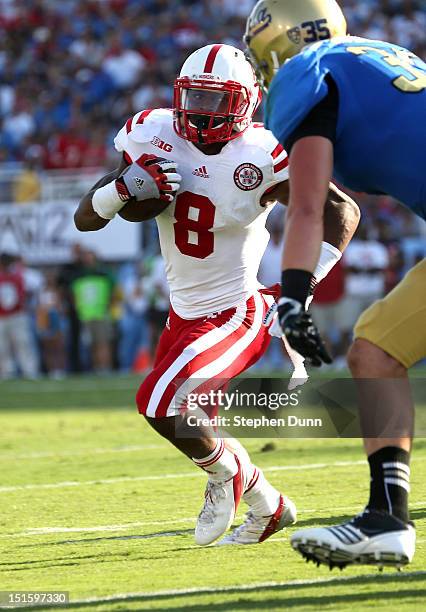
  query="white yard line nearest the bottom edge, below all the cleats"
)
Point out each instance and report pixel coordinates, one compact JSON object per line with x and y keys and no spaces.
{"x":205,"y":590}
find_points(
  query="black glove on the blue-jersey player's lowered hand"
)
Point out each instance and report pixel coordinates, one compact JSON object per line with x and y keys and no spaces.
{"x":301,"y":333}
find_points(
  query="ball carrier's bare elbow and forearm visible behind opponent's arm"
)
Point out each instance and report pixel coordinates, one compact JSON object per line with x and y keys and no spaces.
{"x":341,"y":218}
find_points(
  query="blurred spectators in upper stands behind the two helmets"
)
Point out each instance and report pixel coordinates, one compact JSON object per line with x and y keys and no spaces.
{"x":72,"y":72}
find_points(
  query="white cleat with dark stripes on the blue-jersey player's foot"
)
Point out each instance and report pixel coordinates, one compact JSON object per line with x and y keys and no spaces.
{"x":371,"y":538}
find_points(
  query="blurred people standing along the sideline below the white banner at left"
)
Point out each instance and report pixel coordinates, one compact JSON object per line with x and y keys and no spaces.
{"x":85,"y":316}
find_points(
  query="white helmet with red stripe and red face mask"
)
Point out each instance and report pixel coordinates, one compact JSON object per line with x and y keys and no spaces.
{"x":215,"y":96}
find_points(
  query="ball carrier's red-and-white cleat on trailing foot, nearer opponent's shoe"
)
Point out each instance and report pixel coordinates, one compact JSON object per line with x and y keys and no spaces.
{"x":256,"y":529}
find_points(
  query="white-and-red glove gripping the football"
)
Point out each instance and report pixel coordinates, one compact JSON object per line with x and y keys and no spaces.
{"x":149,"y":177}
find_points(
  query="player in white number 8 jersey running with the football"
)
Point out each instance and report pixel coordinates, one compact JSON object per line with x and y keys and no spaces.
{"x":218,"y":175}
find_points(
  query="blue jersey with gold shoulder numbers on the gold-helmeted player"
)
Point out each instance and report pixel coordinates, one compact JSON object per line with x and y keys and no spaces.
{"x":381,"y":128}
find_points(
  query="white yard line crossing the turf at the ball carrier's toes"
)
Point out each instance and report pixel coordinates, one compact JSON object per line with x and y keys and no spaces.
{"x":36,"y":531}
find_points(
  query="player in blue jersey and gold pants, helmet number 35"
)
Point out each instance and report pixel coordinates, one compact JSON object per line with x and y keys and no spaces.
{"x":353,"y":109}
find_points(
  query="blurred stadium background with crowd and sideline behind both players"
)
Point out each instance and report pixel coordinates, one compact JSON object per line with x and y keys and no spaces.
{"x":71,"y":73}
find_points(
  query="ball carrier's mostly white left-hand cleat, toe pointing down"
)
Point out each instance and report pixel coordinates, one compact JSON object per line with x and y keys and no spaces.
{"x":220,"y":505}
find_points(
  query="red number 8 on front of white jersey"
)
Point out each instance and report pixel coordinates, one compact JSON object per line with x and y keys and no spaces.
{"x":193,"y":235}
